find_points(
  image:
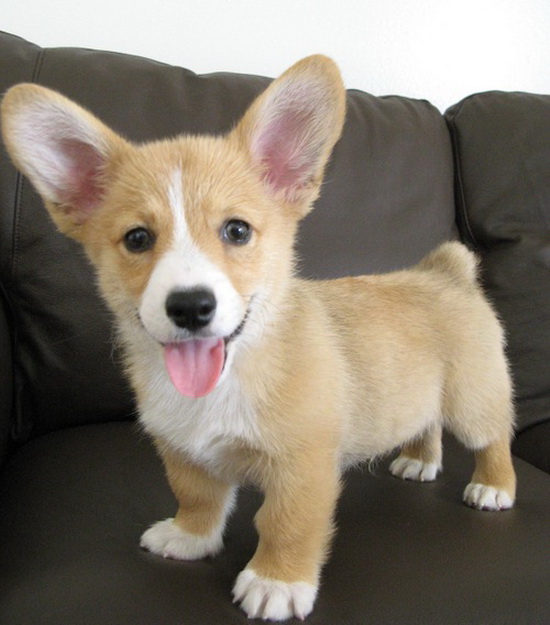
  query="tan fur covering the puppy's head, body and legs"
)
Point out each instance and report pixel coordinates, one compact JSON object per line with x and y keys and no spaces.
{"x":333,"y":372}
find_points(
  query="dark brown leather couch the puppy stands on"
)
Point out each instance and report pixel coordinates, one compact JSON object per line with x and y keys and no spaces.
{"x":79,"y":482}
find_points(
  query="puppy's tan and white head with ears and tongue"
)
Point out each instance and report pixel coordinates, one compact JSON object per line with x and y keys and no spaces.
{"x":192,"y":237}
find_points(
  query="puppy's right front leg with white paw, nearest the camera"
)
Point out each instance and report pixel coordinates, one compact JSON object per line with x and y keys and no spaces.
{"x":295,"y":526}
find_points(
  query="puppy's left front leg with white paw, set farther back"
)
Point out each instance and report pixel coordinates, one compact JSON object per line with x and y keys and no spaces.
{"x":204,"y":504}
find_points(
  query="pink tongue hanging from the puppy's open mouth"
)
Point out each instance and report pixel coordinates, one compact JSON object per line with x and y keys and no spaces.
{"x":195,"y":366}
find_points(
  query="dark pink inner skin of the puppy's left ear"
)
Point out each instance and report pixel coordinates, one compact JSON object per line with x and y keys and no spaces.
{"x":81,"y":188}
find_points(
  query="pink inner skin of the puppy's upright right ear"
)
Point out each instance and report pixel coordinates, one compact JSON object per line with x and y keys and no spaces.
{"x":288,"y":149}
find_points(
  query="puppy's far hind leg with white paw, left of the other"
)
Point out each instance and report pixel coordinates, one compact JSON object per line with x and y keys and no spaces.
{"x":420,"y":459}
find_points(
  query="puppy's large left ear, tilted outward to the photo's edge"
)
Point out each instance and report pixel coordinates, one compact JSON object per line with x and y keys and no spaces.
{"x":64,"y":151}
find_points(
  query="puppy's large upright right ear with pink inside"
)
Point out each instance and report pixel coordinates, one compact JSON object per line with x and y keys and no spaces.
{"x":291,"y":128}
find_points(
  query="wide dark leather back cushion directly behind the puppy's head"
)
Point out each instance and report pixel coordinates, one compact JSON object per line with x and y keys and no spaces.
{"x":386,"y":201}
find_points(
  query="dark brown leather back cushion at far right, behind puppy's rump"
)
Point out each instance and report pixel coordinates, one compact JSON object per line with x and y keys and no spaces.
{"x":502,"y":151}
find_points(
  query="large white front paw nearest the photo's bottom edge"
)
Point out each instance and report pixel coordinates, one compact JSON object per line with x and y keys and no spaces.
{"x":273,"y":600}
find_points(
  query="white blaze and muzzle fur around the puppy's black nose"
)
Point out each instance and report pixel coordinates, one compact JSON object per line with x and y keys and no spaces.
{"x":185,"y":266}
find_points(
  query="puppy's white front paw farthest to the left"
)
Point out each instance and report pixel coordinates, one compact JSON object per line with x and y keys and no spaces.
{"x":168,"y":540}
